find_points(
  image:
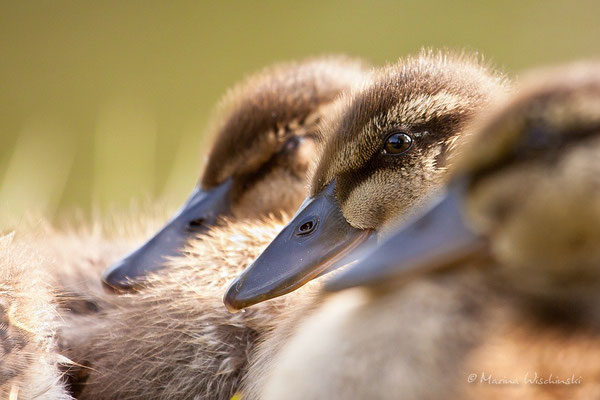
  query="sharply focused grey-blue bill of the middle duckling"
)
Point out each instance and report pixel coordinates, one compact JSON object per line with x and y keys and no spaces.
{"x":298,"y":255}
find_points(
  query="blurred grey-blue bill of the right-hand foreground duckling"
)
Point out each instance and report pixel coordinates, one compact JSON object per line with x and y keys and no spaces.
{"x":431,"y":242}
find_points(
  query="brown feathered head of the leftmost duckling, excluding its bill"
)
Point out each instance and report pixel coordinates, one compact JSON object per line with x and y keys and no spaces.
{"x":255,"y":126}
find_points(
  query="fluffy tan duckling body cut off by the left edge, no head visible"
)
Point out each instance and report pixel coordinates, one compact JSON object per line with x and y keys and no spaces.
{"x":28,"y":358}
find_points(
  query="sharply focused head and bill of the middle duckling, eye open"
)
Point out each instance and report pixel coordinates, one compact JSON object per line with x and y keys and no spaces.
{"x":387,"y":149}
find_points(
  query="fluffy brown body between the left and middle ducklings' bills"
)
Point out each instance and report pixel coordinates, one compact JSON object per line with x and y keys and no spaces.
{"x":174,"y":339}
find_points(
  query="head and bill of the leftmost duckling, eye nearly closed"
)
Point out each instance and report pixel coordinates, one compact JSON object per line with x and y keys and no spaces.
{"x":265,"y":132}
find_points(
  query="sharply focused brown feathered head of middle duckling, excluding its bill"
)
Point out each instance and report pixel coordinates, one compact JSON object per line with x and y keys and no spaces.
{"x":430,"y":98}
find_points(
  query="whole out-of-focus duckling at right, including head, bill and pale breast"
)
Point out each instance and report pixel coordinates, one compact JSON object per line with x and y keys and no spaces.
{"x":497,"y":282}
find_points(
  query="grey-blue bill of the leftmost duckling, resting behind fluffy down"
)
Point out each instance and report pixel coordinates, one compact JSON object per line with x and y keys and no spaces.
{"x":199,"y":213}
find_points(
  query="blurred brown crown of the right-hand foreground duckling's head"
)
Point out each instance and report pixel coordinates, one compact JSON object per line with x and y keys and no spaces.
{"x":545,"y":112}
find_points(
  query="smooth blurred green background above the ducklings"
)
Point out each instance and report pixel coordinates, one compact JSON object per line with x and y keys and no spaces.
{"x":102,"y":102}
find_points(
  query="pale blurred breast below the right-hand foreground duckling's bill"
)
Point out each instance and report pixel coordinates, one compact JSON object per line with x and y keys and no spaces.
{"x":347,"y":350}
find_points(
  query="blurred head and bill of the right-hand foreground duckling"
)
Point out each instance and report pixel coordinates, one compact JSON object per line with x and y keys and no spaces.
{"x":526,"y":193}
